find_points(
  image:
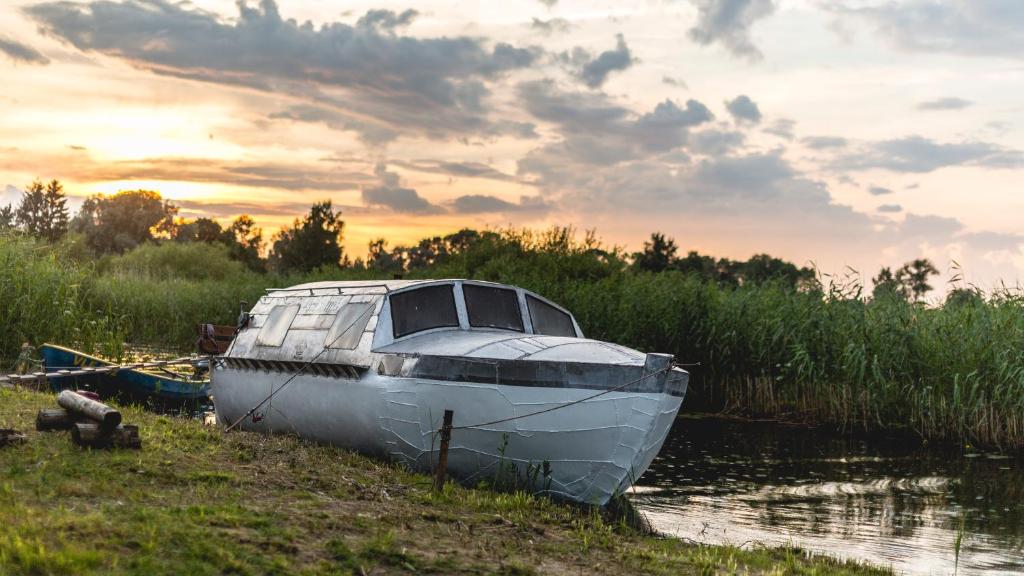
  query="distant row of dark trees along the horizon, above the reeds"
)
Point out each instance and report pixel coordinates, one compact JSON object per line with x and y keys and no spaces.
{"x":116,"y":224}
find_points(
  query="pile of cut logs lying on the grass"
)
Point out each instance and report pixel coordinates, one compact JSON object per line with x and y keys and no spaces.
{"x":92,"y":423}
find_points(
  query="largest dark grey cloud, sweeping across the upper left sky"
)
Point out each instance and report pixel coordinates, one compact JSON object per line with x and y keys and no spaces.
{"x":370,"y":78}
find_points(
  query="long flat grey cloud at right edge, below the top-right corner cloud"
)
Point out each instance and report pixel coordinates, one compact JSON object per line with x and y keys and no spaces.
{"x":919,"y":155}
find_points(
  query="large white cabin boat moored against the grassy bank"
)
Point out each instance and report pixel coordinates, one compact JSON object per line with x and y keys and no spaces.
{"x":373,"y":366}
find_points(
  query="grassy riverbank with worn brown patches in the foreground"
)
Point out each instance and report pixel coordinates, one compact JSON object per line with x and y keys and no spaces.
{"x":198,"y":502}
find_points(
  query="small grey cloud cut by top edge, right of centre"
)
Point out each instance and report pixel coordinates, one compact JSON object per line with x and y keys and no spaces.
{"x":729,"y":23}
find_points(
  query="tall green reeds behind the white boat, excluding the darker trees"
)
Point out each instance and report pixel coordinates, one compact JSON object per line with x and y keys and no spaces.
{"x":830,"y":357}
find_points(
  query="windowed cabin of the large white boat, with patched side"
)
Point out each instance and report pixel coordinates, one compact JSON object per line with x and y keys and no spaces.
{"x":356,"y":320}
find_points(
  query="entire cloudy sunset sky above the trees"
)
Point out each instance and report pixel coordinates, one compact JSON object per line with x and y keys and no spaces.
{"x":846,"y":135}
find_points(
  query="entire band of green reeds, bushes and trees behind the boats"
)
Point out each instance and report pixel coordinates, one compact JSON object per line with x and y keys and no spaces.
{"x":762,"y":337}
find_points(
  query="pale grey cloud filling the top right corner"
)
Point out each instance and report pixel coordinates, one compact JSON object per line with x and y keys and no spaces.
{"x":993,"y":28}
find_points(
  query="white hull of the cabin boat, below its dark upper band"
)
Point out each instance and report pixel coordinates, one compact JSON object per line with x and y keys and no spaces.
{"x":591,"y":451}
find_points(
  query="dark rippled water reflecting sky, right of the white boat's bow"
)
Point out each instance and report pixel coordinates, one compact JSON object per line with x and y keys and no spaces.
{"x":887,"y":502}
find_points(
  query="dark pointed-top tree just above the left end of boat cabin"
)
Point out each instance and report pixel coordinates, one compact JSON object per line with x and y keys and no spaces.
{"x":312,"y":242}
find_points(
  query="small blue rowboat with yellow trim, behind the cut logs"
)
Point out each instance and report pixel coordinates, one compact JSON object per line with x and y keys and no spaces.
{"x":136,"y":385}
